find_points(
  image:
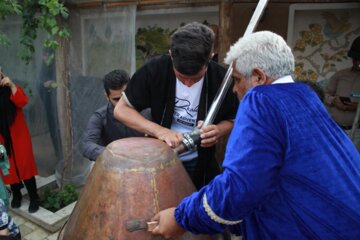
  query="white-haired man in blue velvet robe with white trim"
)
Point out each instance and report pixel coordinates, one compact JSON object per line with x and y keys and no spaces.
{"x":290,"y":172}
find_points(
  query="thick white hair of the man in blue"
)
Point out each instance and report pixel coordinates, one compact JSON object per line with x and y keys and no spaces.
{"x":265,"y":50}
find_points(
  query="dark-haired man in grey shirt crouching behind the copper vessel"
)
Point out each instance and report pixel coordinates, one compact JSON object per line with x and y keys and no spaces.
{"x":102,"y":127}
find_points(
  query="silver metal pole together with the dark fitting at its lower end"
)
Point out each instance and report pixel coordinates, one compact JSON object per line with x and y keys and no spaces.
{"x":192,"y":139}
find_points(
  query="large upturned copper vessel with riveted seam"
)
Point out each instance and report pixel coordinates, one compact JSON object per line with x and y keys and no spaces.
{"x":132,"y":180}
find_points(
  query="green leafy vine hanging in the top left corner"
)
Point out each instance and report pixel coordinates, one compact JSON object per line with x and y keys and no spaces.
{"x":47,"y":15}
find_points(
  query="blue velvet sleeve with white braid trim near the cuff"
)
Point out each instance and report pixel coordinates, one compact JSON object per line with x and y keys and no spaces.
{"x":253,"y":157}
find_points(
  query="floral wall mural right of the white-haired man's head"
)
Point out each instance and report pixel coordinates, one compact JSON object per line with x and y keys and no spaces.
{"x":321,"y":39}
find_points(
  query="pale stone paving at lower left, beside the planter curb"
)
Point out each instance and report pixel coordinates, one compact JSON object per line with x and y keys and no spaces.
{"x":31,"y":231}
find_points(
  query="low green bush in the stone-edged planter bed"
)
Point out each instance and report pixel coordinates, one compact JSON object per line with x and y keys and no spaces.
{"x":55,"y":199}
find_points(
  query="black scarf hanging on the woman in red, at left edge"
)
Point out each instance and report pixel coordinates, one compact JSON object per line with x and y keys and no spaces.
{"x":7,"y":117}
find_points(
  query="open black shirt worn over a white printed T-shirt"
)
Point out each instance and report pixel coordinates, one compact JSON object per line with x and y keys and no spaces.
{"x":154,"y":86}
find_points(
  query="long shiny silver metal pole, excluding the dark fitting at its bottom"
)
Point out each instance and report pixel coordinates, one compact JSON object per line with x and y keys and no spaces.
{"x":219,"y":97}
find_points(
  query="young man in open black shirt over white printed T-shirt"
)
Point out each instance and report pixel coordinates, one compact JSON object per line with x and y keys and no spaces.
{"x":179,"y":88}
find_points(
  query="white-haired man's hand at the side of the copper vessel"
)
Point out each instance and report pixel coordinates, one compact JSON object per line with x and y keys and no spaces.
{"x":167,"y":228}
